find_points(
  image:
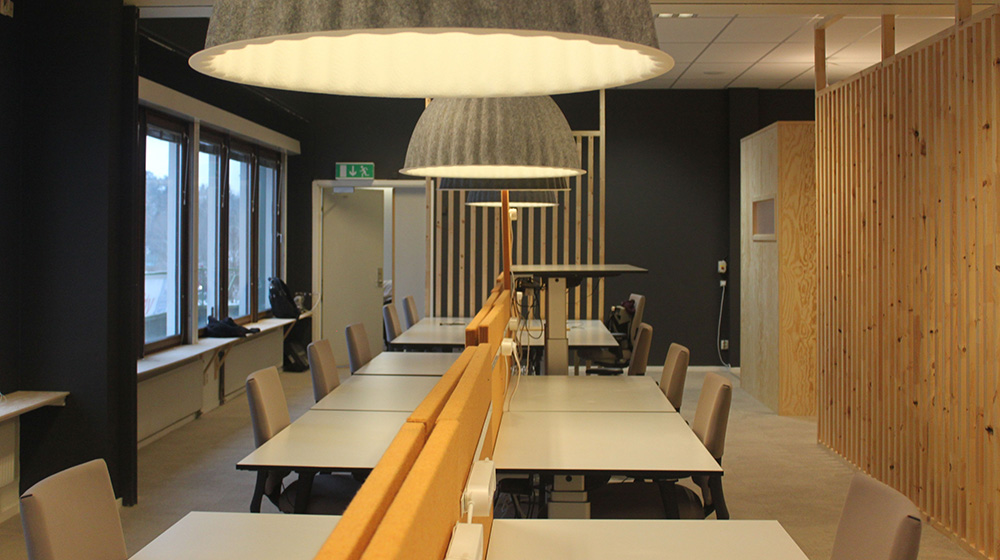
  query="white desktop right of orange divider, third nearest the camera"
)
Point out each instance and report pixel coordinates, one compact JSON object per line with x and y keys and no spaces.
{"x":587,"y":394}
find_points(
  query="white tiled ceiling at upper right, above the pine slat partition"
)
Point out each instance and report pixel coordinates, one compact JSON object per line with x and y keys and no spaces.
{"x":770,"y":51}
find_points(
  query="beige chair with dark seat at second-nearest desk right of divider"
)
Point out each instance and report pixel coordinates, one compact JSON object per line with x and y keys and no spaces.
{"x":657,"y":500}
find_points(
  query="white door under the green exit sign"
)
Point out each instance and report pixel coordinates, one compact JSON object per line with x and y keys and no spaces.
{"x":352,"y":265}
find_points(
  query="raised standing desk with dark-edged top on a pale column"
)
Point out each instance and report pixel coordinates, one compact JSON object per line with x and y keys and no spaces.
{"x":559,"y":278}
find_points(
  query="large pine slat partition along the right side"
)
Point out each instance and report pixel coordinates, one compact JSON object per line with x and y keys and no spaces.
{"x":909,"y":276}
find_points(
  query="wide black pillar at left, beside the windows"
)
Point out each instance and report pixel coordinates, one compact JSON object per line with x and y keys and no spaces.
{"x":76,"y":266}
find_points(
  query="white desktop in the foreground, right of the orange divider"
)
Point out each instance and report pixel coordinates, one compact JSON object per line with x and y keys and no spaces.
{"x":572,"y":539}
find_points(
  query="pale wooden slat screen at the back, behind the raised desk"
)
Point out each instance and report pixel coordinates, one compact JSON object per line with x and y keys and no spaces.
{"x":571,"y":233}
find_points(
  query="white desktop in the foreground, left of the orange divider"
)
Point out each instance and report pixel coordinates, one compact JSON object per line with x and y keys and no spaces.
{"x":241,"y":536}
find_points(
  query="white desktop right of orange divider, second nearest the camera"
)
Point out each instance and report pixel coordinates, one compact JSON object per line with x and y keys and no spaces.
{"x":629,"y":443}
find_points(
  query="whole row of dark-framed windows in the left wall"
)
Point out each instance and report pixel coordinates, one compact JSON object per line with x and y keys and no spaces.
{"x":233,"y":216}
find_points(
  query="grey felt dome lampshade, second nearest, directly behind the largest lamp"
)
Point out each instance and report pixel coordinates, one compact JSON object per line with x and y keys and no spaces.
{"x":492,"y":138}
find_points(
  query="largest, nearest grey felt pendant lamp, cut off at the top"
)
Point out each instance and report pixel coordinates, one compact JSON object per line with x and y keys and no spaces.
{"x":432,"y":48}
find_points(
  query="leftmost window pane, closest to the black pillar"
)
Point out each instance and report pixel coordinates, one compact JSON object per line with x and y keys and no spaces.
{"x":164,"y":186}
